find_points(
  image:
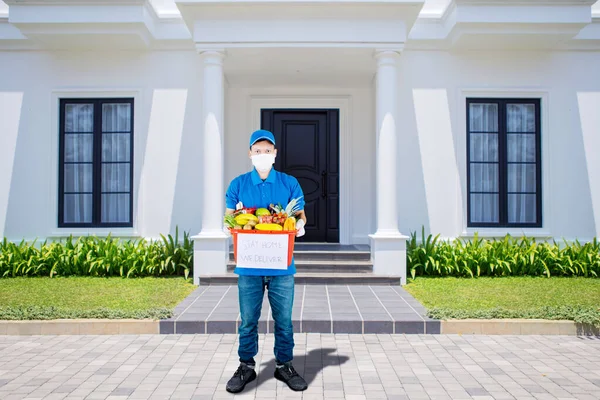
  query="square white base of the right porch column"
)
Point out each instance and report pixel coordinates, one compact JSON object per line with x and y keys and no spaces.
{"x":388,"y":253}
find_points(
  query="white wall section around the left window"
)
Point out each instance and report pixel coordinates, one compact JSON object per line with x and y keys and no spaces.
{"x":167,"y":137}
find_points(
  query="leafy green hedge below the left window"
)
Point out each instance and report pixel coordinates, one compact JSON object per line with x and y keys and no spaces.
{"x":93,"y":256}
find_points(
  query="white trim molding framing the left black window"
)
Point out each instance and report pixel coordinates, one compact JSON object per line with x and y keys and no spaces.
{"x":136,"y":212}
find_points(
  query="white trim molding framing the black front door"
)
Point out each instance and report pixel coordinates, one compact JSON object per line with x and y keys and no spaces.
{"x":341,"y":102}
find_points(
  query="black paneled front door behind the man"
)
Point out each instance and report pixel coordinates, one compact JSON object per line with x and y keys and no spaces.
{"x":308,"y":149}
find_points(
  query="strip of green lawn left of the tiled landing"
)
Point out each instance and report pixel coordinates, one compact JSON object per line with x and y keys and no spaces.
{"x":90,"y":297}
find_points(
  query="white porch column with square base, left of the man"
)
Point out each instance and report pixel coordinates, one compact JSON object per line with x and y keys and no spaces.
{"x":210,"y":245}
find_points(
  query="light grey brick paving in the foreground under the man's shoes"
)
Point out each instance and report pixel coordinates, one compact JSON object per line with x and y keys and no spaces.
{"x":353,"y":367}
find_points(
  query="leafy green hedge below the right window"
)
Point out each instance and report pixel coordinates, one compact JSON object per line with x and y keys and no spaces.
{"x":506,"y":257}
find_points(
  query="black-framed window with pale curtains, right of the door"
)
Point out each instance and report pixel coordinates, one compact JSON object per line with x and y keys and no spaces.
{"x":504,"y":163}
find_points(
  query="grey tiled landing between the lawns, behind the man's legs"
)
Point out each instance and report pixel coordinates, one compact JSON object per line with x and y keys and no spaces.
{"x":317,"y":309}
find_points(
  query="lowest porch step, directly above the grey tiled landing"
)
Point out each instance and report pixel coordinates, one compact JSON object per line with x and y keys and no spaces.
{"x":314,"y":278}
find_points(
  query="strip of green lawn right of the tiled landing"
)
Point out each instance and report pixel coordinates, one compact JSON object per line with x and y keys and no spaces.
{"x":510,"y":297}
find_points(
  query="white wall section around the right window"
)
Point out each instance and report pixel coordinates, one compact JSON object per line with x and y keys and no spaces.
{"x":432,"y":145}
